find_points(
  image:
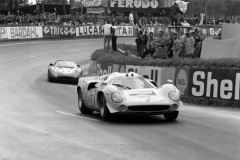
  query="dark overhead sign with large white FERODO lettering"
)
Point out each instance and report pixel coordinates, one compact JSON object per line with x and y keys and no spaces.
{"x":134,"y":5}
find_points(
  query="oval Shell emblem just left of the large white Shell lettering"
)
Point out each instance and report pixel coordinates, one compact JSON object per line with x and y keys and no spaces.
{"x":181,"y":81}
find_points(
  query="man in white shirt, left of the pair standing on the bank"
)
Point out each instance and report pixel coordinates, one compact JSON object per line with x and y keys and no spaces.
{"x":107,"y":36}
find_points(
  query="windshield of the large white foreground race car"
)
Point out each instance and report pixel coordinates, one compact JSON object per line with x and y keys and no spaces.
{"x":136,"y":82}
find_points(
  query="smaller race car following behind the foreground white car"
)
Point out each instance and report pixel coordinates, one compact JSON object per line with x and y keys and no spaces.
{"x":63,"y":70}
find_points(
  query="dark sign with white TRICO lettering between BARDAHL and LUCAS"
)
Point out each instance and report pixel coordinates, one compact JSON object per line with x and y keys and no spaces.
{"x":59,"y":31}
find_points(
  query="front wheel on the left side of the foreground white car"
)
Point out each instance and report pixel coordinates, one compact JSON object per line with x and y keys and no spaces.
{"x":105,"y":114}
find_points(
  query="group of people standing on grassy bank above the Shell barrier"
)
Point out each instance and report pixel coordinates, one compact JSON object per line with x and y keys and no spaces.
{"x":169,"y":45}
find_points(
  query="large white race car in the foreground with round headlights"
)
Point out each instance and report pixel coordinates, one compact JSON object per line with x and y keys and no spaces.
{"x":127,"y":93}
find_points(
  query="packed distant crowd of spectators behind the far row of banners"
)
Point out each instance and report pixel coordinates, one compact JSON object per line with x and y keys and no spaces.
{"x":98,"y":19}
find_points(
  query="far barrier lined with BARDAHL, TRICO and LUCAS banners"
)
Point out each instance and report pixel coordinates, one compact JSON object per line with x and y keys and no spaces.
{"x":54,"y":31}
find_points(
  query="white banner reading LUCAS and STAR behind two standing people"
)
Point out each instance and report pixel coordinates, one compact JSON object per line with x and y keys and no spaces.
{"x":98,"y":30}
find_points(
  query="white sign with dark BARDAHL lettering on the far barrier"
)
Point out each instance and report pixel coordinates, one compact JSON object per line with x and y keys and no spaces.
{"x":24,"y":32}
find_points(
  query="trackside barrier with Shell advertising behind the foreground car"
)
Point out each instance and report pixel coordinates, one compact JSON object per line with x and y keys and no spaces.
{"x":192,"y":82}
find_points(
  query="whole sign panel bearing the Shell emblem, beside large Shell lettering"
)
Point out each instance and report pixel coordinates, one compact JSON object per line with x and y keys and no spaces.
{"x":182,"y":80}
